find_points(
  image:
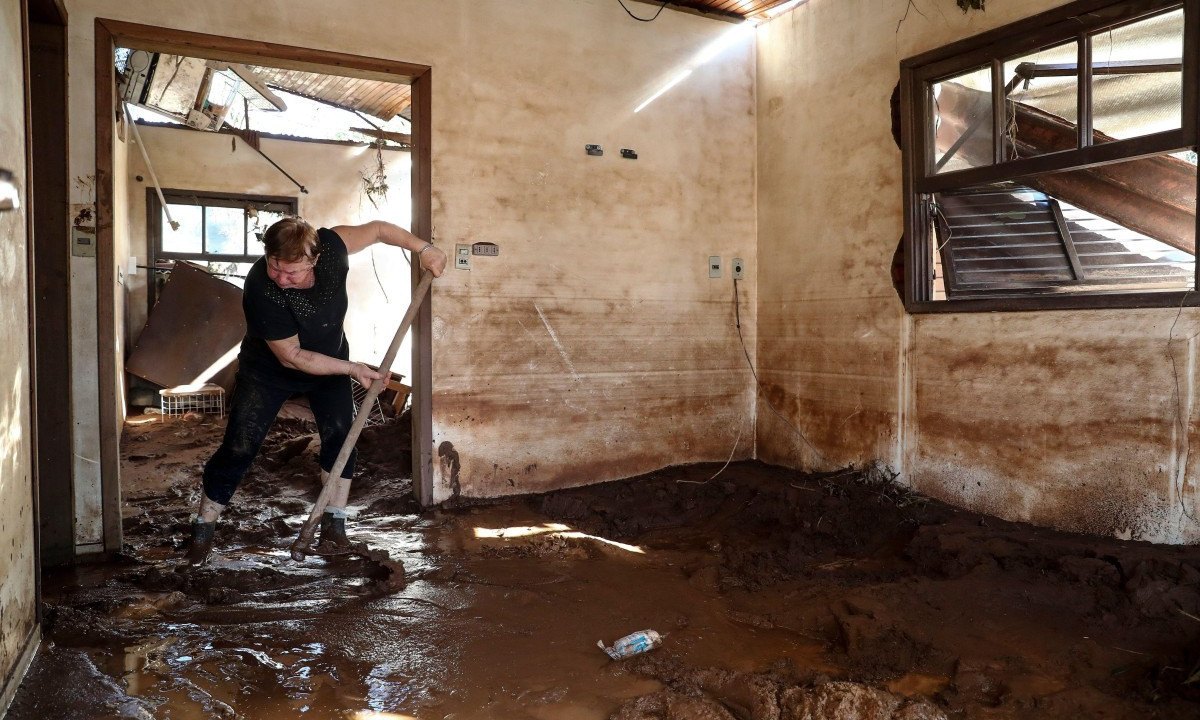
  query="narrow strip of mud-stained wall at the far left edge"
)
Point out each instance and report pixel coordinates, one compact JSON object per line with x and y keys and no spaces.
{"x":17,"y":593}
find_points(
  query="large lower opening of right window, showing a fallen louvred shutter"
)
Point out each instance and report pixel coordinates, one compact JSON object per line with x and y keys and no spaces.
{"x":1126,"y":227}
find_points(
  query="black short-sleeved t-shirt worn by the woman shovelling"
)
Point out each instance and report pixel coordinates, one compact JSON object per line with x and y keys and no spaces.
{"x":316,"y":314}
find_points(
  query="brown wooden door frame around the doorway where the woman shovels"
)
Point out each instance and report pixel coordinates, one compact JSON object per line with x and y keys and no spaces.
{"x":113,"y":34}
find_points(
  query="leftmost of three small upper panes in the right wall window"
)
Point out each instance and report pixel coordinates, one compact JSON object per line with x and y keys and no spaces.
{"x":962,"y":117}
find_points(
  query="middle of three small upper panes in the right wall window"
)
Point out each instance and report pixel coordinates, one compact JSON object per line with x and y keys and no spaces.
{"x":1043,"y":103}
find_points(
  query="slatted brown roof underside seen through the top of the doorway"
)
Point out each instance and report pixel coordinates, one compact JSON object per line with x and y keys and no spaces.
{"x":375,"y":98}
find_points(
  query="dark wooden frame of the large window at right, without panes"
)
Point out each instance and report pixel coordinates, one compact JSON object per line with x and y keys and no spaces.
{"x":1073,"y":22}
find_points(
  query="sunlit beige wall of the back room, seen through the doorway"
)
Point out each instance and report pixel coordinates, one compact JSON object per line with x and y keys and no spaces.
{"x":333,"y":173}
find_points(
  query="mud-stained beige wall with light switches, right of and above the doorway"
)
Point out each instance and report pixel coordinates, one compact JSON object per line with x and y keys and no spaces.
{"x":595,"y":346}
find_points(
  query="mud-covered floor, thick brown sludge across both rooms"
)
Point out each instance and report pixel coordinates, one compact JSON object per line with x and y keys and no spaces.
{"x":781,"y":597}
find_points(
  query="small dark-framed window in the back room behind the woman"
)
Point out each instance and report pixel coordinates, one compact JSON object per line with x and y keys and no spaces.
{"x":219,"y":232}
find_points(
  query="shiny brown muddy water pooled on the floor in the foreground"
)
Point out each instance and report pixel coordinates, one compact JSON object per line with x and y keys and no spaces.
{"x":487,"y":627}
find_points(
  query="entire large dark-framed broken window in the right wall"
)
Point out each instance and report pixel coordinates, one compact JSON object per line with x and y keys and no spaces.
{"x":1053,"y":163}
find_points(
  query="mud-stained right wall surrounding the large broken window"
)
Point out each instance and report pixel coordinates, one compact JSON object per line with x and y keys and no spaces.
{"x":1069,"y":419}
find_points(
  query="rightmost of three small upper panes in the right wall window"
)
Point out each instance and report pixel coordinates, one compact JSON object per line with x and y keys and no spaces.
{"x":1137,"y":79}
